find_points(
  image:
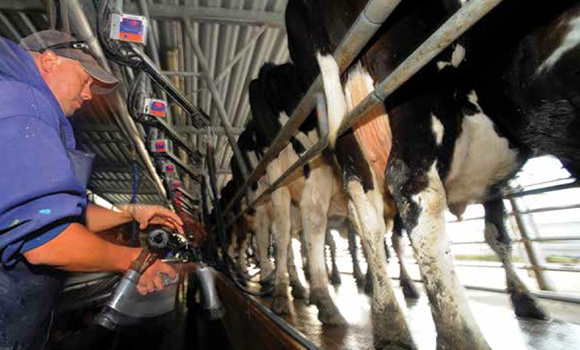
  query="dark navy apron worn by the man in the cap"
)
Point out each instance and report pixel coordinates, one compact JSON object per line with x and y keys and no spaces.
{"x":28,"y":293}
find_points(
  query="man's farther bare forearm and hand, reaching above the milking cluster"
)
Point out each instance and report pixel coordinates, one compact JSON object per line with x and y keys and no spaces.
{"x":100,"y":219}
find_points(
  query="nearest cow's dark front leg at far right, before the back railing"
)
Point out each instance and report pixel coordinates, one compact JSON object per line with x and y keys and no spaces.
{"x":496,"y":235}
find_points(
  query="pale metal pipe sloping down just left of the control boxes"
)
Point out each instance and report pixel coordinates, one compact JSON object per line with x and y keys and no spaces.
{"x":85,"y":33}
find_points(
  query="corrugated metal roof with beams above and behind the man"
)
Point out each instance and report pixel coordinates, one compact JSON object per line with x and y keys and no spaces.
{"x":234,"y":37}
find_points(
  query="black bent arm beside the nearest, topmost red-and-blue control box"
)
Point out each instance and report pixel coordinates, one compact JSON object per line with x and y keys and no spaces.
{"x":131,"y":55}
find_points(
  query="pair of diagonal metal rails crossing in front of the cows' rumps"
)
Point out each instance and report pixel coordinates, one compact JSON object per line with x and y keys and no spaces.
{"x":368,"y":22}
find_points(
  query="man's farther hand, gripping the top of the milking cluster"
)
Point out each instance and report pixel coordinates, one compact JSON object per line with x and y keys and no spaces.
{"x":153,"y":214}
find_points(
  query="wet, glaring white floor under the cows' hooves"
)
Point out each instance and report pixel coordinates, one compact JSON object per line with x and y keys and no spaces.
{"x":492,"y":311}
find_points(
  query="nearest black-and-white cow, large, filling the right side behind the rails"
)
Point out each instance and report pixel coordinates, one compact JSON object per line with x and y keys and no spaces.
{"x":460,"y":128}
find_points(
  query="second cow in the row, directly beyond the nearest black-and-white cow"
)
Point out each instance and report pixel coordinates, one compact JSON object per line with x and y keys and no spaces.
{"x":273,"y":96}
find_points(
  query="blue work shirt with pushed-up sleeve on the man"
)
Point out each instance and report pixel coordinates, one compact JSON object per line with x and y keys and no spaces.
{"x":39,"y":194}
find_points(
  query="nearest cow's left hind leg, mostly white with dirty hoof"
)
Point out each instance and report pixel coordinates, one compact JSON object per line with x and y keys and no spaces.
{"x":366,"y":212}
